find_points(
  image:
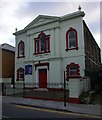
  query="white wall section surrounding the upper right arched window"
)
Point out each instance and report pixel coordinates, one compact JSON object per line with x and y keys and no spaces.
{"x":78,"y":25}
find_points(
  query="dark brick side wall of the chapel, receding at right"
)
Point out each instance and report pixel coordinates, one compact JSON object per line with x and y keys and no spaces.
{"x":92,"y":51}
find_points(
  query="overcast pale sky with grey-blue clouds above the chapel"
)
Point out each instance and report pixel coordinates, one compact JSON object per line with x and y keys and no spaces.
{"x":18,"y":14}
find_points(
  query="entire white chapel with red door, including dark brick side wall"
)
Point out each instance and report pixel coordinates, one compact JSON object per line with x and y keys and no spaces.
{"x":50,"y":45}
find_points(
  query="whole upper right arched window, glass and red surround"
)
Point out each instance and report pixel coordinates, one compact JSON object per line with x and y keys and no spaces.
{"x":71,"y":39}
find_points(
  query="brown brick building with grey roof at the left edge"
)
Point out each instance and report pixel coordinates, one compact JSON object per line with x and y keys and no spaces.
{"x":7,"y":61}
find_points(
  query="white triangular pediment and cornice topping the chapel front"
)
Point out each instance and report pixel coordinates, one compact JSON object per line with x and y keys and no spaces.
{"x":45,"y":19}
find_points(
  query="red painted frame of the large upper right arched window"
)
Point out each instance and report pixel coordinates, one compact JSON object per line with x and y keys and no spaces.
{"x":67,"y":40}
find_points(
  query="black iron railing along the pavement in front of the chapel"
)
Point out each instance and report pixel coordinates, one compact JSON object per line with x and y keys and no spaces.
{"x":22,"y":88}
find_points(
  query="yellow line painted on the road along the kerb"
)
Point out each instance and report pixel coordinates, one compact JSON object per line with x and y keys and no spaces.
{"x":59,"y":112}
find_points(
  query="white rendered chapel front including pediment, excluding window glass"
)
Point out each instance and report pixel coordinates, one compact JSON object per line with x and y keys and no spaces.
{"x":55,"y":61}
